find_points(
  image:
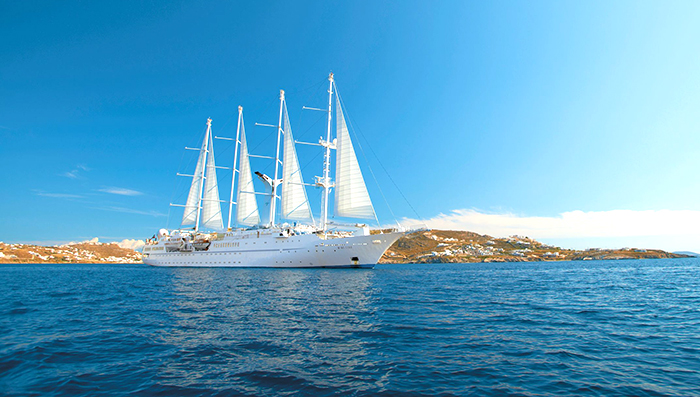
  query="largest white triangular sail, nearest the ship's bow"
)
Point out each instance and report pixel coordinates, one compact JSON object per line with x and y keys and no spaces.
{"x":351,"y":196}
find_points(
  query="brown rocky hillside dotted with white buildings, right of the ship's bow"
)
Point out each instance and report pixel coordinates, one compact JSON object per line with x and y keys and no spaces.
{"x":457,"y":246}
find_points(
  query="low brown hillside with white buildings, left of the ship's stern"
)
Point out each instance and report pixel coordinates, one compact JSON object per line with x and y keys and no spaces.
{"x":84,"y":252}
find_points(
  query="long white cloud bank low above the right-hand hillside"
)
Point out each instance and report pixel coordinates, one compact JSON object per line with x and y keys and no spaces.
{"x":578,"y":227}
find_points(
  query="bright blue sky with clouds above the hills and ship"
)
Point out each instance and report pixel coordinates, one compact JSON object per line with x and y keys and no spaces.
{"x":496,"y":117}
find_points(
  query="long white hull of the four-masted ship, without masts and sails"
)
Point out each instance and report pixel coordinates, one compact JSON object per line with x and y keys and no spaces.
{"x":272,"y":248}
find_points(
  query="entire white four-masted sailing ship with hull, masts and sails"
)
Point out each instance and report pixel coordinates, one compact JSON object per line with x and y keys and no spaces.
{"x":291,"y":238}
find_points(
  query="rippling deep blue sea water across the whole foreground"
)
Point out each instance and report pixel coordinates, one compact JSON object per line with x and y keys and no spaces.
{"x":520,"y":329}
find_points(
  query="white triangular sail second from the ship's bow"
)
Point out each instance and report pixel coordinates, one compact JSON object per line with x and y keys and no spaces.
{"x":295,"y":203}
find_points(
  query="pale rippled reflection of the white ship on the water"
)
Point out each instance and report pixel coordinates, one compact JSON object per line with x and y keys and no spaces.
{"x":259,"y":320}
